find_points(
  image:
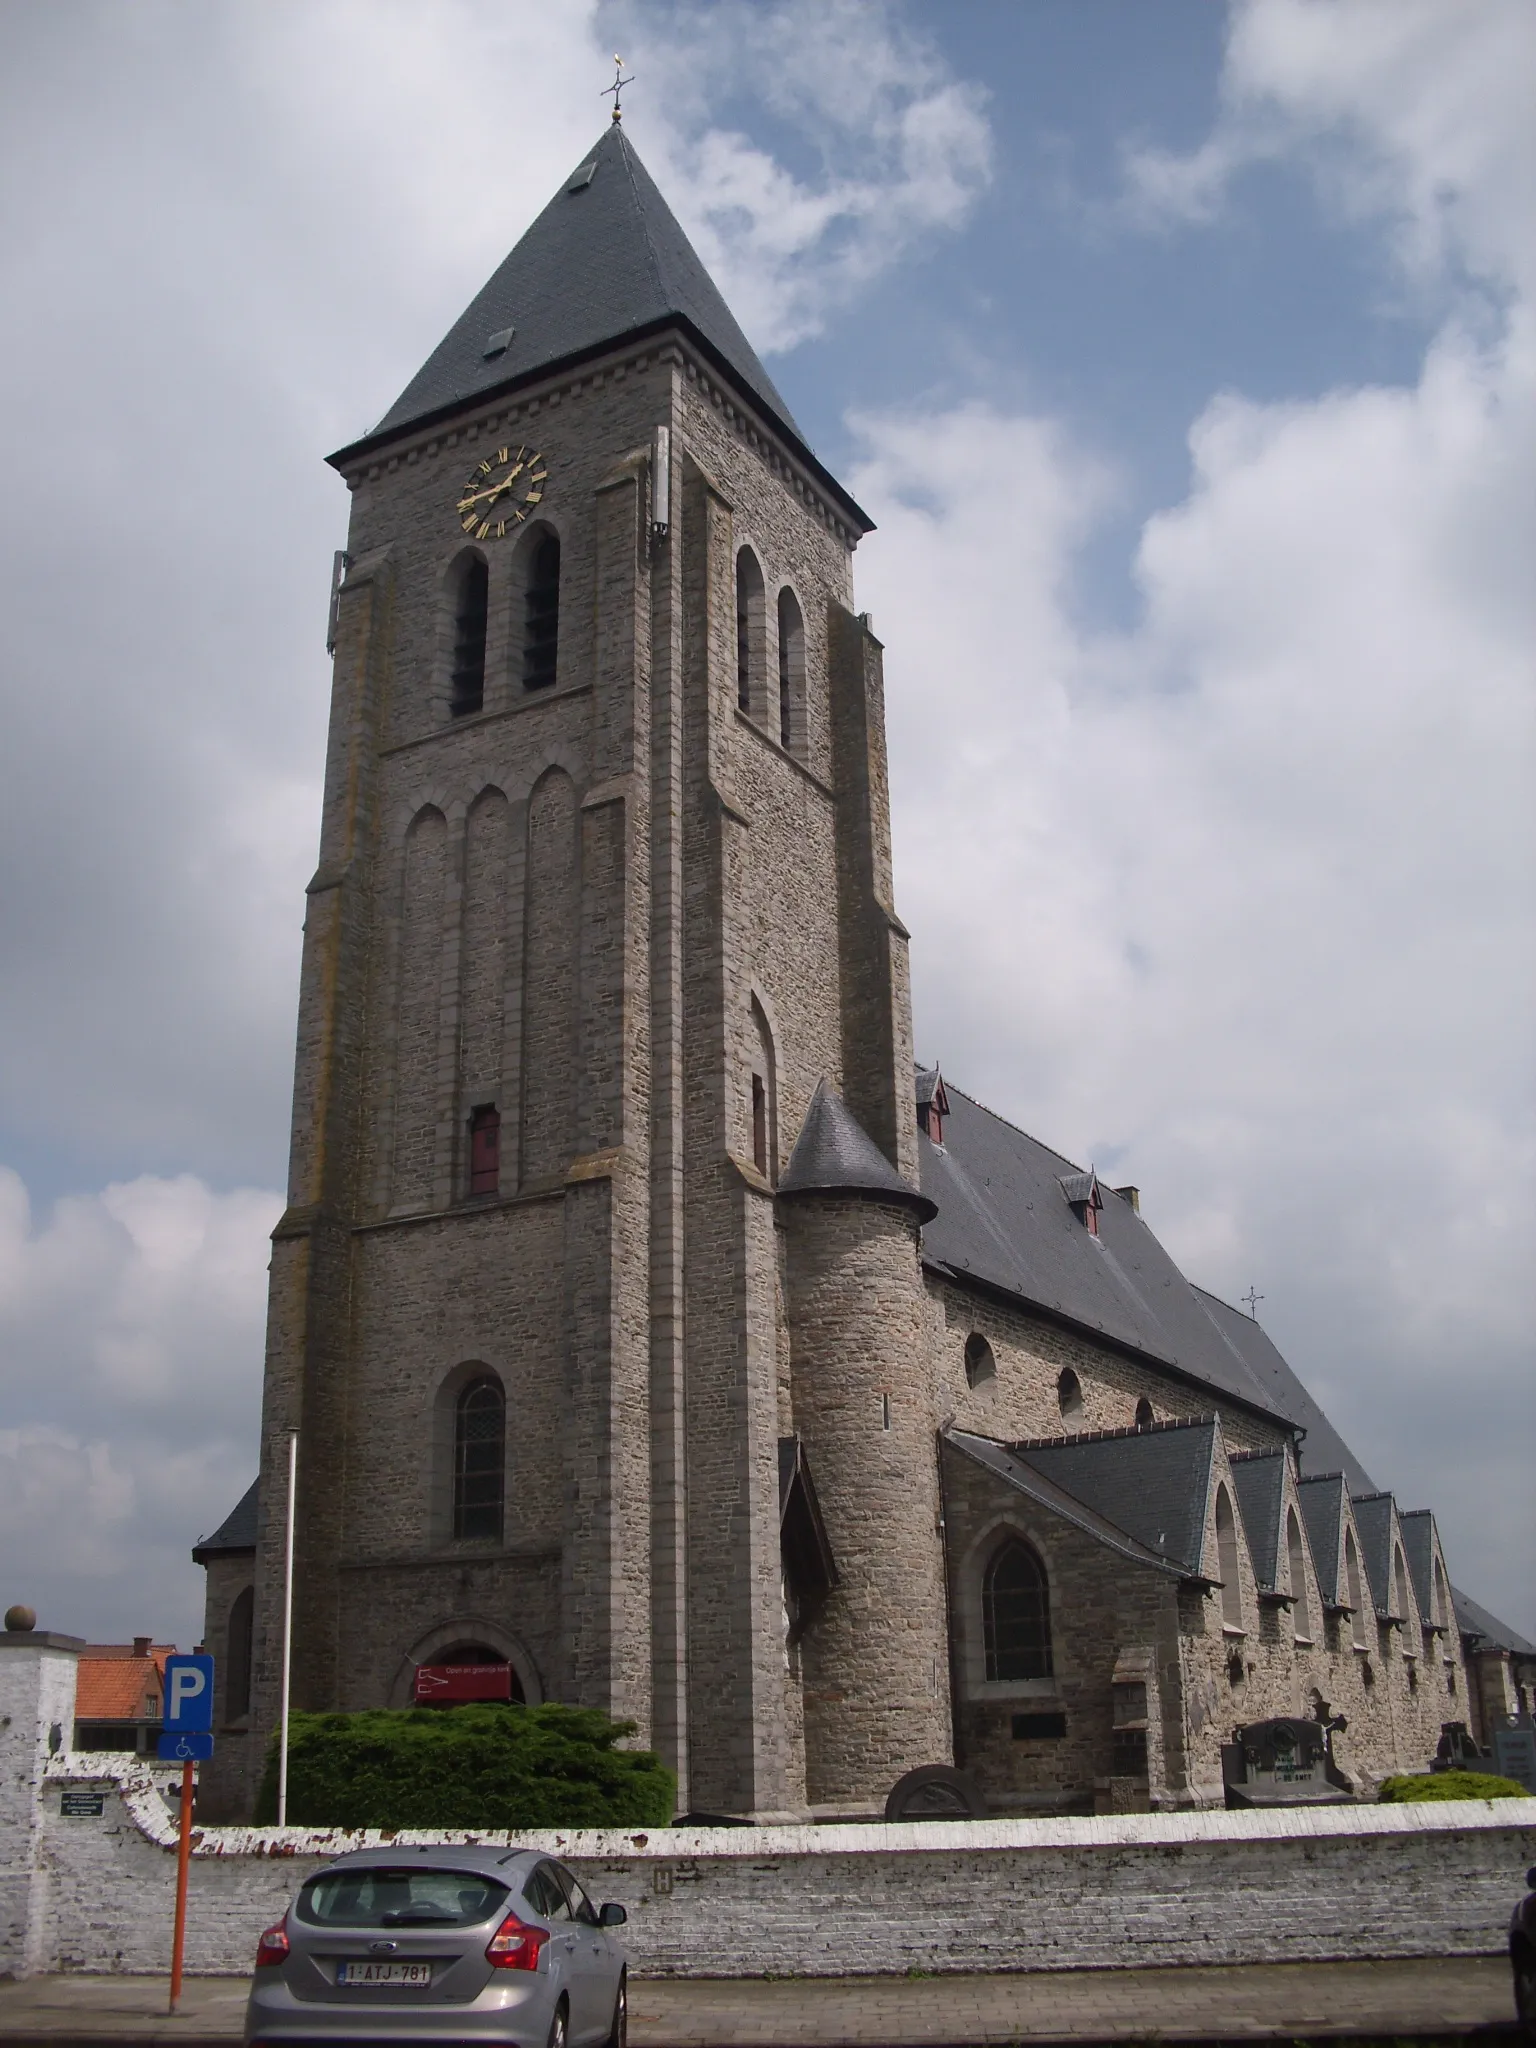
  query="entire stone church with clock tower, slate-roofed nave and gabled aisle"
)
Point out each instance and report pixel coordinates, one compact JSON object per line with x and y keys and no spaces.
{"x":652,"y":1324}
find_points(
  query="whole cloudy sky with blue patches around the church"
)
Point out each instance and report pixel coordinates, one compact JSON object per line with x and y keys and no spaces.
{"x":1187,"y":361}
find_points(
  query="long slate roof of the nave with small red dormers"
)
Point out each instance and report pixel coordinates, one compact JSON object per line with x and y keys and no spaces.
{"x":1005,"y":1222}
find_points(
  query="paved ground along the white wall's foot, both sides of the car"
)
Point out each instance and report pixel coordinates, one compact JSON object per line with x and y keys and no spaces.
{"x":1252,"y":2004}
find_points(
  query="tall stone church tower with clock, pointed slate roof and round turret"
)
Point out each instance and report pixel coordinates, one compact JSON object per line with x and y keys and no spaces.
{"x":603,"y":906}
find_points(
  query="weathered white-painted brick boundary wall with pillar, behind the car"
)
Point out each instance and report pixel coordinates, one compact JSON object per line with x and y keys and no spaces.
{"x":812,"y":1902}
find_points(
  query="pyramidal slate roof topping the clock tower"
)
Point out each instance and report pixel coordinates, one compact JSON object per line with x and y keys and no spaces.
{"x":605,"y":259}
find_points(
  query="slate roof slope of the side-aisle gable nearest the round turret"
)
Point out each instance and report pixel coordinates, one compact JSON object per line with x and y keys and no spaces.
{"x":1154,"y":1484}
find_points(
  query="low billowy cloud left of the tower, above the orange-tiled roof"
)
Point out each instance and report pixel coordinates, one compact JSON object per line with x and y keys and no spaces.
{"x":132,"y":1340}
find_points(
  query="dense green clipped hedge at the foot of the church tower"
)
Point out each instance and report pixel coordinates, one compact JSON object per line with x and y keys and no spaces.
{"x":468,"y":1766}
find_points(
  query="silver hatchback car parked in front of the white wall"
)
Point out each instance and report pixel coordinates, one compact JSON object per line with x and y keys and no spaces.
{"x":441,"y":1947}
